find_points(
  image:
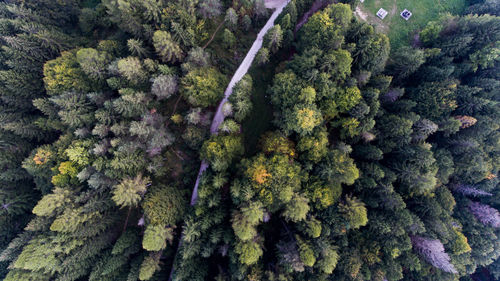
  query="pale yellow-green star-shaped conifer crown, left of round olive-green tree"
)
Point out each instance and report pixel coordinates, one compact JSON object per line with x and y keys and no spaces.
{"x":130,"y":191}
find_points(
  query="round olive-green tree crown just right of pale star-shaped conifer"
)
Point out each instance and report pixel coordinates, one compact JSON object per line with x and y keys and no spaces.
{"x":164,"y":205}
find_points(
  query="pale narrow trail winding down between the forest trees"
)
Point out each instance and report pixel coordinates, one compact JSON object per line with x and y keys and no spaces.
{"x":278,"y":5}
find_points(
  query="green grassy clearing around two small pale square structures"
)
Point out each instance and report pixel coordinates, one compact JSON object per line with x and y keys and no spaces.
{"x":400,"y":30}
